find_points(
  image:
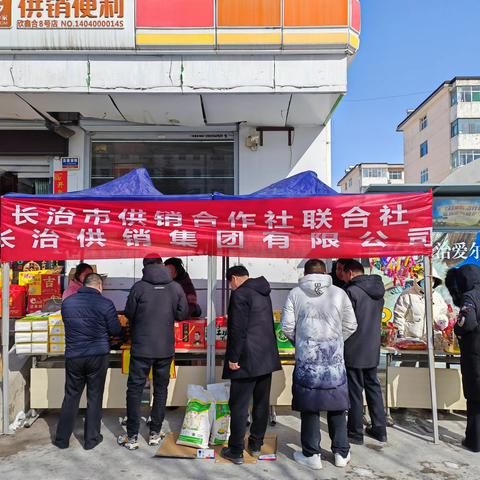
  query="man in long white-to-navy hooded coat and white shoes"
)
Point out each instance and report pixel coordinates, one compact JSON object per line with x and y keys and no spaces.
{"x":317,"y":318}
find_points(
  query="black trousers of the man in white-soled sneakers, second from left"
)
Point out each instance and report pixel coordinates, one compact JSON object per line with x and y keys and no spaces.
{"x":139,"y":370}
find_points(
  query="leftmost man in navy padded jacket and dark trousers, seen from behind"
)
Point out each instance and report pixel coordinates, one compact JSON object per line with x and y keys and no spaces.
{"x":90,"y":319}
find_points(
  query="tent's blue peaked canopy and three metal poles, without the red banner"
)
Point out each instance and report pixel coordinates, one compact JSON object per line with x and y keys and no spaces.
{"x":138,"y":185}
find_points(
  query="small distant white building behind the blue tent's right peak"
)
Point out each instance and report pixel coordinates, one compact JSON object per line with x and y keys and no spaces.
{"x":358,"y":178}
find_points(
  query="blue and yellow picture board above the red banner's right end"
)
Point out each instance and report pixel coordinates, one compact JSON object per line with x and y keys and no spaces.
{"x":462,"y":212}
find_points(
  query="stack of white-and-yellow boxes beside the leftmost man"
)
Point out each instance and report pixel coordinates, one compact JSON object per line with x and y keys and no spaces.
{"x":31,"y":334}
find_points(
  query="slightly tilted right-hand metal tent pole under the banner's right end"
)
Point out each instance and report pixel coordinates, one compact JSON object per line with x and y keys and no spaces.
{"x":427,"y":268}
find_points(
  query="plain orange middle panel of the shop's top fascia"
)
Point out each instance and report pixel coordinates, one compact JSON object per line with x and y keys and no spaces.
{"x":249,"y":13}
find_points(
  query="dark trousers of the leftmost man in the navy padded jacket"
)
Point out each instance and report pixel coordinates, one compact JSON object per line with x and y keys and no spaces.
{"x":89,"y":371}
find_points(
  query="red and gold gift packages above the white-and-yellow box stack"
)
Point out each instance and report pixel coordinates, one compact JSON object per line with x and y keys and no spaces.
{"x":43,"y":285}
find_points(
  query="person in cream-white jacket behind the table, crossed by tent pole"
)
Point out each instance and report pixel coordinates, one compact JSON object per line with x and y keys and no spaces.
{"x":409,"y":311}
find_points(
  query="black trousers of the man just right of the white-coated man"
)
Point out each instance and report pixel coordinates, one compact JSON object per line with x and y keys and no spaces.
{"x":358,"y":381}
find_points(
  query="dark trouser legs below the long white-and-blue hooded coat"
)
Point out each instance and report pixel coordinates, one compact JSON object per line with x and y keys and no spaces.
{"x":337,"y":430}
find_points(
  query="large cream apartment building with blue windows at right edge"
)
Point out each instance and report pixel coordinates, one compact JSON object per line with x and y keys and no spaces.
{"x":443,"y":133}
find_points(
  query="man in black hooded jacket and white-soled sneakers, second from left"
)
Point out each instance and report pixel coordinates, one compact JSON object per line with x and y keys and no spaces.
{"x":152,"y":307}
